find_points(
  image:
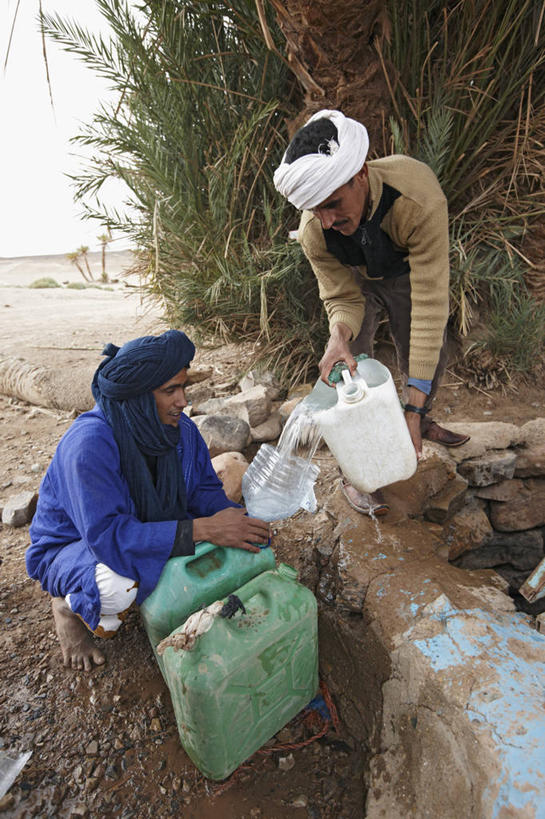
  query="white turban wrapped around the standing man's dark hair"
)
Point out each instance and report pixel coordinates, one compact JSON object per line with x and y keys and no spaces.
{"x":309,"y":180}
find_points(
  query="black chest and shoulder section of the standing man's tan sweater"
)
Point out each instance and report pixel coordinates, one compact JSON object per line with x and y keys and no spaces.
{"x":370,"y":245}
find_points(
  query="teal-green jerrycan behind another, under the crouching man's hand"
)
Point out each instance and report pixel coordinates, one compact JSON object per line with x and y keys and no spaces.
{"x":188,"y":583}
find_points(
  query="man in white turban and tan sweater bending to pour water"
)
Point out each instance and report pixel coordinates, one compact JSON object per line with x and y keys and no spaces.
{"x":376,"y":236}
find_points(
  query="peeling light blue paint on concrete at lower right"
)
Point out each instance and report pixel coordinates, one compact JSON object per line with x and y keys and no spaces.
{"x":506,"y":658}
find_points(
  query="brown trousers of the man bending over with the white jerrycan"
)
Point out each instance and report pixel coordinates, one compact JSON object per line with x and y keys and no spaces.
{"x":393,"y":296}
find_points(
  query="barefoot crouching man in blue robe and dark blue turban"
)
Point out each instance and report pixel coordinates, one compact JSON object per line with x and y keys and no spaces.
{"x":130,"y":485}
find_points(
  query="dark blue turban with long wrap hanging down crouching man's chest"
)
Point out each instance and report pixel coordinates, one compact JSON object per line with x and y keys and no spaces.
{"x":122,"y":387}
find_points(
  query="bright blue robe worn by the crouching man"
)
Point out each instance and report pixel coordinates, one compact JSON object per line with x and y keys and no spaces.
{"x":85,"y":515}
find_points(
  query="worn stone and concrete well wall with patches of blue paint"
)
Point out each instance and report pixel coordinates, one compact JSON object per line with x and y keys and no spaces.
{"x":434,"y":670}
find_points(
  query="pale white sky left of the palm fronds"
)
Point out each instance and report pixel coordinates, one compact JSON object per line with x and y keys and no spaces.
{"x":37,"y":212}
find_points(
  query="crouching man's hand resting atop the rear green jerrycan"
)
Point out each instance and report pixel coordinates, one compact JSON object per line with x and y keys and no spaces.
{"x":232,"y":527}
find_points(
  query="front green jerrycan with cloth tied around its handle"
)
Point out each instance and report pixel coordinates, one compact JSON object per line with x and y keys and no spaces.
{"x":247,"y":676}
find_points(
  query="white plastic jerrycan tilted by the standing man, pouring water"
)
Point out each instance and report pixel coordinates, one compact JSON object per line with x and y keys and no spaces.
{"x":366,"y":430}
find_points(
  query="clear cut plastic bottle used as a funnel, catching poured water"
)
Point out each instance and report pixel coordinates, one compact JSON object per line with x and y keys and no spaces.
{"x":277,"y":484}
